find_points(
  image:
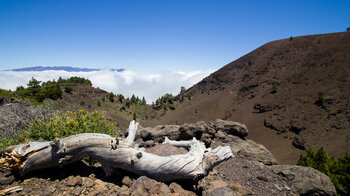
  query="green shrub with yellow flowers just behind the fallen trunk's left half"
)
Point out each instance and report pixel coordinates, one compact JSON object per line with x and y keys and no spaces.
{"x":59,"y":126}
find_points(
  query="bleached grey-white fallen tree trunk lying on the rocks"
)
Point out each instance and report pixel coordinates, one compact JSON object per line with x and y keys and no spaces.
{"x":116,"y":153}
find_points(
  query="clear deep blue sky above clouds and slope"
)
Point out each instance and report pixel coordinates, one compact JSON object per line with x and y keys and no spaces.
{"x":154,"y":35}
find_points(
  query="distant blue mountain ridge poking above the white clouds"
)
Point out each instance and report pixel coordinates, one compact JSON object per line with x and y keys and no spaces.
{"x":60,"y":68}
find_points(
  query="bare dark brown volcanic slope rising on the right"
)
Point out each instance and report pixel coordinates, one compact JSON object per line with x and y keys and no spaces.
{"x":301,"y":66}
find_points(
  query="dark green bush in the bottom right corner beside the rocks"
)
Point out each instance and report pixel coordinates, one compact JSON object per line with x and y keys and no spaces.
{"x":337,"y":170}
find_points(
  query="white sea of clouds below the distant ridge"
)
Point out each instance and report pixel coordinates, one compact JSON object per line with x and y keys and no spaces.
{"x":128,"y":82}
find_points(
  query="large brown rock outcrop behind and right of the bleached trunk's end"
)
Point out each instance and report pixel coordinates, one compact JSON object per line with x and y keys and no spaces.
{"x":253,"y":170}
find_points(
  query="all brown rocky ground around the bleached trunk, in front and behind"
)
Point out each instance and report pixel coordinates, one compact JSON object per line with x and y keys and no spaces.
{"x":253,"y":170}
